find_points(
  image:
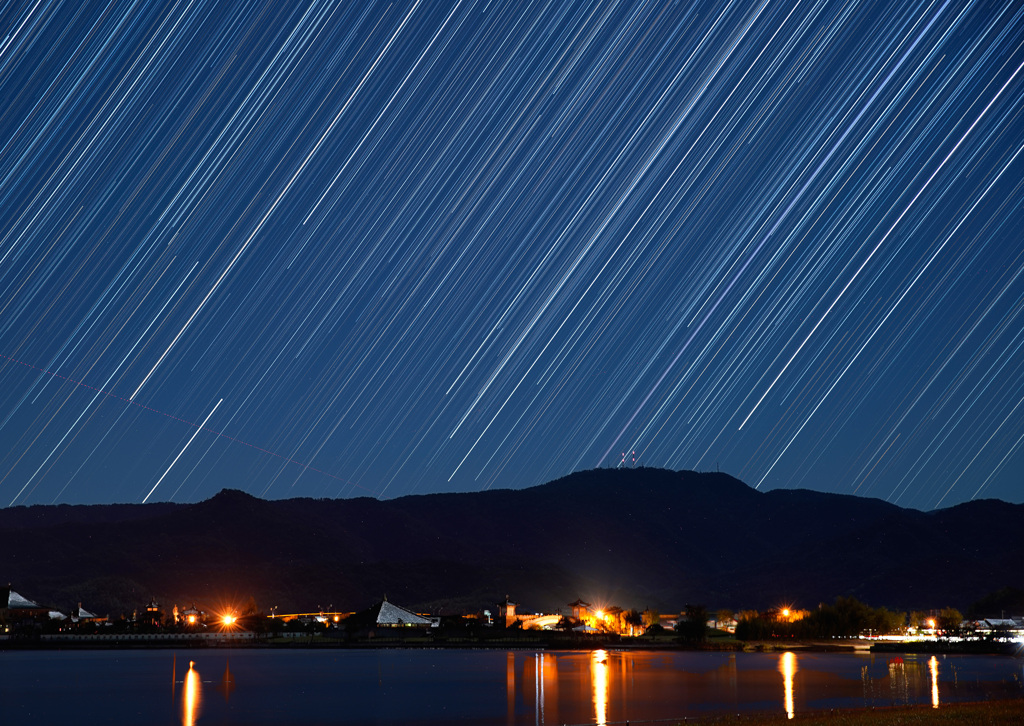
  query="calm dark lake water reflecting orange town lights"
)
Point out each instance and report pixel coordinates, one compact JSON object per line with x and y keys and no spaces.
{"x":250,"y":687}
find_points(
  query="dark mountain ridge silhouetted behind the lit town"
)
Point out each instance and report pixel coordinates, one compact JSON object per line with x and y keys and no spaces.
{"x":636,"y":538}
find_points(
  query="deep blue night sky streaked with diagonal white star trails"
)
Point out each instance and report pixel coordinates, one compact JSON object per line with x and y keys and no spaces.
{"x":339,"y":249}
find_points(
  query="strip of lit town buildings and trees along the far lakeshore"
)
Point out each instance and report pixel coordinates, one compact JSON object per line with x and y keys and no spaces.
{"x":846,"y":618}
